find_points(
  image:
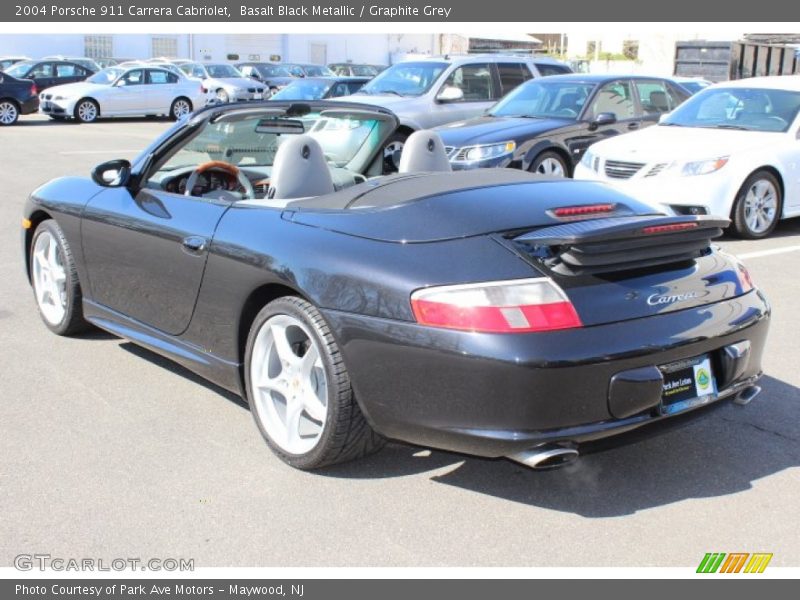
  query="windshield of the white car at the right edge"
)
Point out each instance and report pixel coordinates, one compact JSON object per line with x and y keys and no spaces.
{"x":752,"y":109}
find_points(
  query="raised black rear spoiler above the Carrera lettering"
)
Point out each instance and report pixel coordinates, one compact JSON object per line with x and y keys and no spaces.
{"x":622,"y":243}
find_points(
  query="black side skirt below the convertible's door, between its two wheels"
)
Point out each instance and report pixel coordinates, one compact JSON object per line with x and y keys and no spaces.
{"x":221,"y":372}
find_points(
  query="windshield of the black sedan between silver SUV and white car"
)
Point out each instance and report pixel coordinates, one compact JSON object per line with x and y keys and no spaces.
{"x":544,"y":99}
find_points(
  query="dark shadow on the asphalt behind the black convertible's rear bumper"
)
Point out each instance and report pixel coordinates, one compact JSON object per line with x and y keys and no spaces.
{"x":715,"y":452}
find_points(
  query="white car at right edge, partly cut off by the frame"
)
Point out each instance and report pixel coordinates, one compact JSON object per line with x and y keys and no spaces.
{"x":732,"y":149}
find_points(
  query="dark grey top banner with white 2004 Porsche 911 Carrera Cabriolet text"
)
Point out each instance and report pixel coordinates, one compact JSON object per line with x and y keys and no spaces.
{"x":118,"y":11}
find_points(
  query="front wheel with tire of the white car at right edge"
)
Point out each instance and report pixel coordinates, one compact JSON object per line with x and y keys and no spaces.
{"x":758,"y":206}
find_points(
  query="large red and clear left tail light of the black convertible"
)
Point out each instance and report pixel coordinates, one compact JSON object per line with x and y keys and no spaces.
{"x":515,"y":306}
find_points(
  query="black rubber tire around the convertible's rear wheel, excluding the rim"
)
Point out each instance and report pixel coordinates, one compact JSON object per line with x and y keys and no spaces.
{"x":346,"y":435}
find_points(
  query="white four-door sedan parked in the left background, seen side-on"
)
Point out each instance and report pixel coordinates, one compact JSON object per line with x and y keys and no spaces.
{"x":129,"y":91}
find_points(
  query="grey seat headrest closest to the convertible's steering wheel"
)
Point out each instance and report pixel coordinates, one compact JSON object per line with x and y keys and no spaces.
{"x":300,"y":170}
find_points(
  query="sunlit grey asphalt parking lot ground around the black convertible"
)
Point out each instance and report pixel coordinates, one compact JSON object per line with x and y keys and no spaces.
{"x":107,"y":450}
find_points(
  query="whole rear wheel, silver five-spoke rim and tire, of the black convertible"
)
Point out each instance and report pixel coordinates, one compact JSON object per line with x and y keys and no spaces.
{"x":299,"y":389}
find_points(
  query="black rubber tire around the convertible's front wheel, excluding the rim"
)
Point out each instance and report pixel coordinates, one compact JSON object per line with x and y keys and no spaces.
{"x":72,"y":321}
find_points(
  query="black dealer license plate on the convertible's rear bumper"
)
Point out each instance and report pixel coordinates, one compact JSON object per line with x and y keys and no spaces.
{"x":687,"y":383}
